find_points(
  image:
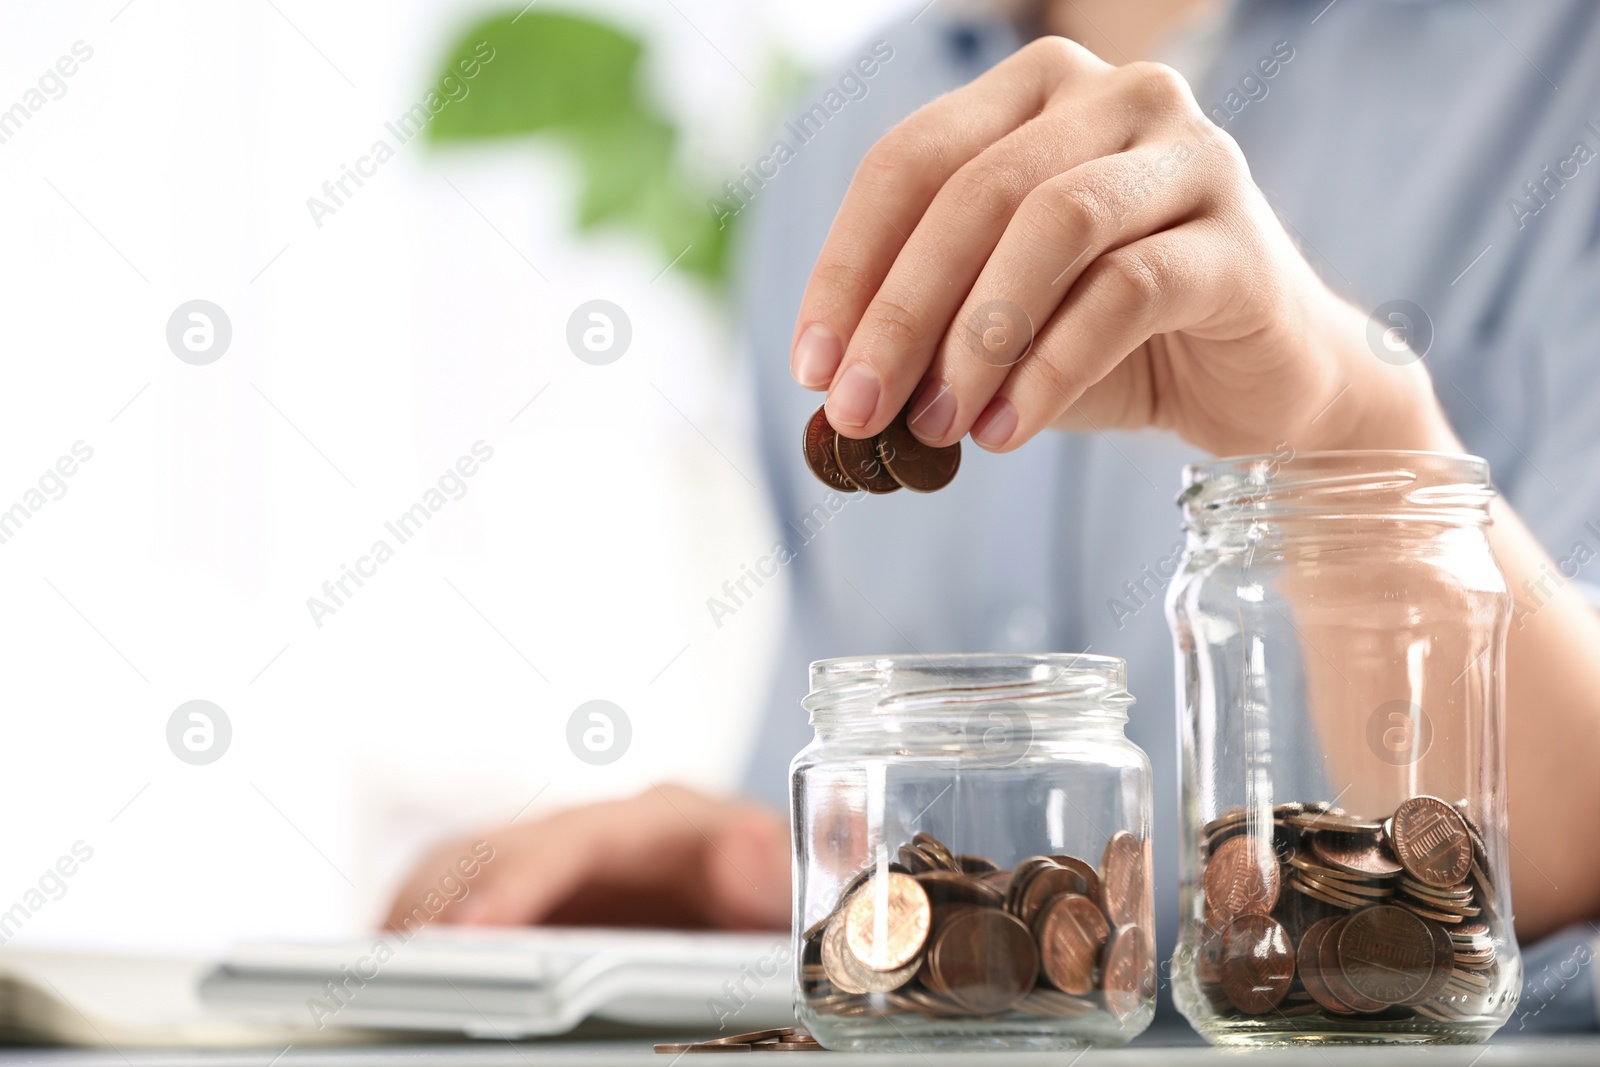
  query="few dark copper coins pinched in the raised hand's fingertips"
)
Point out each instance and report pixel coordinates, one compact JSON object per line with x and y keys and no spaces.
{"x":884,"y":463}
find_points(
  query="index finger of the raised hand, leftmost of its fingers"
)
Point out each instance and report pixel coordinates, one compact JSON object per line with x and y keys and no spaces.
{"x":892,"y":191}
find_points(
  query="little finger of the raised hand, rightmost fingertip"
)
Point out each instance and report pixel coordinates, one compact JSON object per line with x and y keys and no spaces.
{"x":1124,"y":300}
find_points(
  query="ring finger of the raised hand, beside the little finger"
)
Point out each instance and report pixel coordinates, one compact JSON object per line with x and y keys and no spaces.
{"x":1055,"y":236}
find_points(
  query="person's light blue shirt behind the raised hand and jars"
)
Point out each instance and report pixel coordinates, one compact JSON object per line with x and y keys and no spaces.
{"x":1434,"y":151}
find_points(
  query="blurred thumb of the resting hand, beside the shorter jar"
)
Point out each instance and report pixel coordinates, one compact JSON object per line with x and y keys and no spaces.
{"x":748,"y":873}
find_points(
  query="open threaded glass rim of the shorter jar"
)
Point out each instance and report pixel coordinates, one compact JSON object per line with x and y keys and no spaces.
{"x":1073,"y":685}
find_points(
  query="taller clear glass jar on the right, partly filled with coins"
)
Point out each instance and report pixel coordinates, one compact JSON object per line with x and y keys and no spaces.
{"x":1340,"y":623}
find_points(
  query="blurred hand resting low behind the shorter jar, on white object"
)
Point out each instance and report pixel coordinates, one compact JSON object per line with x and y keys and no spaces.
{"x":666,"y":858}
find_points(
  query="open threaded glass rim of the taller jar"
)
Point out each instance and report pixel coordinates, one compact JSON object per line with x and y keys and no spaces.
{"x":1361,"y":484}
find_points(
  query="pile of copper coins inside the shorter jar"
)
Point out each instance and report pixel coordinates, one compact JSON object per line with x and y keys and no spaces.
{"x":953,"y":937}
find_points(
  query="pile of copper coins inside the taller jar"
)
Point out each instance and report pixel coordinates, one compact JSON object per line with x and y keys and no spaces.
{"x":1345,"y":917}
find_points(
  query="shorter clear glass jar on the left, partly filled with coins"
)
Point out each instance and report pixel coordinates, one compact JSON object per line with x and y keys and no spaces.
{"x":972,"y":855}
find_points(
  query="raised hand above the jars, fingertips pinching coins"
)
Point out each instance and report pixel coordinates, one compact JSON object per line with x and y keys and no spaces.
{"x":1071,"y":244}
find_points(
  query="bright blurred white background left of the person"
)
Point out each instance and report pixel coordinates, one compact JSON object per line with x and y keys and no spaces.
{"x":367,"y":358}
